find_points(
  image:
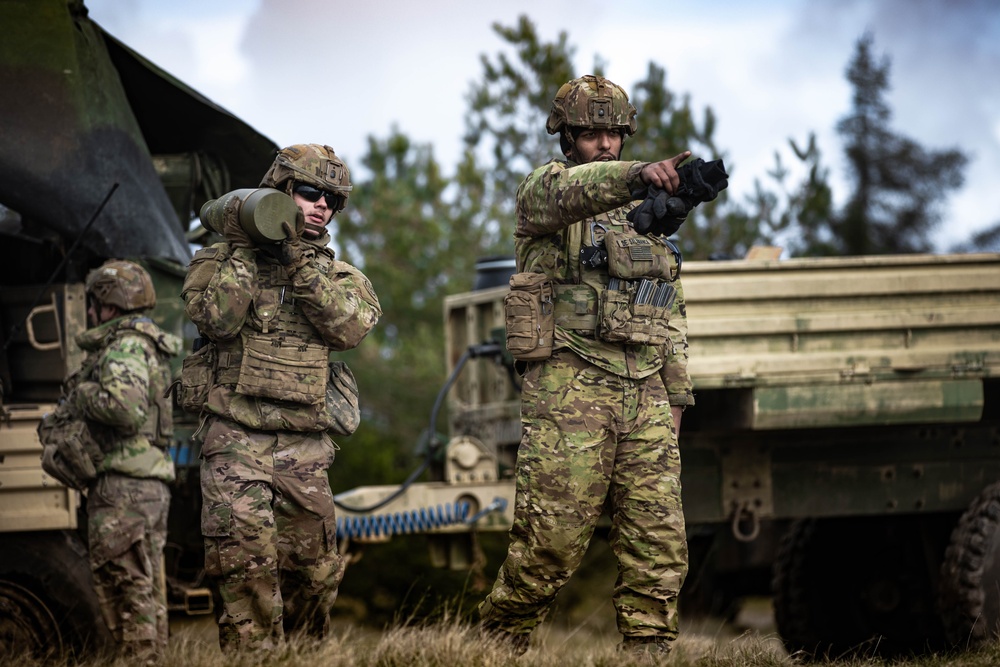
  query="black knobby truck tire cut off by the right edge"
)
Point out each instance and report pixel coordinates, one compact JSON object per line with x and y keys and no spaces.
{"x":968,"y":598}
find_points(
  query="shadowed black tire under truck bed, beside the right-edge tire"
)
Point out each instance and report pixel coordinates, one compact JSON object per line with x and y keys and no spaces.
{"x":855,"y":586}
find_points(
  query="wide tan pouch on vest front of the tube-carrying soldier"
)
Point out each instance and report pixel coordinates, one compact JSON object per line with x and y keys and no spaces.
{"x":283,"y":370}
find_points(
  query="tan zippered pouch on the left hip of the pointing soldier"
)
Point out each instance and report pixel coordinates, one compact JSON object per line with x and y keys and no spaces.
{"x":529,"y":311}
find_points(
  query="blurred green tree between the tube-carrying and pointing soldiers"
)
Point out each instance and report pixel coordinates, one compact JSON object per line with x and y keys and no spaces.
{"x":405,"y":235}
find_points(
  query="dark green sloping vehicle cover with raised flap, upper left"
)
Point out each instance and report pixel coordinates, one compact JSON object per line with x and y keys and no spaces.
{"x":82,"y":112}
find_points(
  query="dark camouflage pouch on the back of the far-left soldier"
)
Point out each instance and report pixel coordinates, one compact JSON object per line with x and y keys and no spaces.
{"x":69,"y":452}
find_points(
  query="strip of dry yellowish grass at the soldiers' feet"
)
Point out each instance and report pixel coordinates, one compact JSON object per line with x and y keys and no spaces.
{"x":451,"y":643}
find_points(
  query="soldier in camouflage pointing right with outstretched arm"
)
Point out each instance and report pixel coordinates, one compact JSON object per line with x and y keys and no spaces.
{"x":600,"y":415}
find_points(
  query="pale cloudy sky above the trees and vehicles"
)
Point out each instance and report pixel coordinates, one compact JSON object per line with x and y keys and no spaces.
{"x":336,"y":72}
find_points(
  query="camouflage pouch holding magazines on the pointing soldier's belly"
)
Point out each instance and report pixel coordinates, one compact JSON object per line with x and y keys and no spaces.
{"x":635,"y":312}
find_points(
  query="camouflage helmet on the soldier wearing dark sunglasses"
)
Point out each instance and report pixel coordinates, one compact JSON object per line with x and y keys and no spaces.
{"x":313,"y":164}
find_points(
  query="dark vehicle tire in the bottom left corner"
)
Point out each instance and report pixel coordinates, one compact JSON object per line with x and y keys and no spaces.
{"x":47,"y":599}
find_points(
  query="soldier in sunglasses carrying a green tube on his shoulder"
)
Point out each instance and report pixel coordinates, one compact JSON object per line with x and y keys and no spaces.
{"x":273,"y":313}
